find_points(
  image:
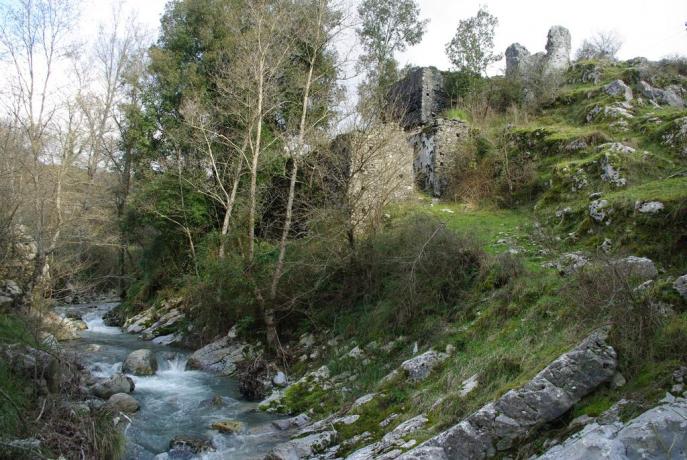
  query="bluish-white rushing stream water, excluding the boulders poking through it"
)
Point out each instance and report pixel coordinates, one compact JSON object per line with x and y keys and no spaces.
{"x":174,"y":401}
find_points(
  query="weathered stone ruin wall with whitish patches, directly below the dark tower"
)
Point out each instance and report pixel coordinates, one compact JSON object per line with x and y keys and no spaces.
{"x":436,"y":148}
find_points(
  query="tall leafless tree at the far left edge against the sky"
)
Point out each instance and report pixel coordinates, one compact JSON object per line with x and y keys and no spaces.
{"x":34,"y":35}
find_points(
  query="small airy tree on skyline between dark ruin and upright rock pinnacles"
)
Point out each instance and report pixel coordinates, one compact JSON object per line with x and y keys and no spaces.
{"x":472,"y":48}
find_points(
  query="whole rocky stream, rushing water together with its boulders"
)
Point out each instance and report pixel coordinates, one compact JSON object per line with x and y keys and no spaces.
{"x":171,"y":412}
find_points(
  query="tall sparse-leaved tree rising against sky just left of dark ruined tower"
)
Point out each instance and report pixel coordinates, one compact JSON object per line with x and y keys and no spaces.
{"x":386,"y":26}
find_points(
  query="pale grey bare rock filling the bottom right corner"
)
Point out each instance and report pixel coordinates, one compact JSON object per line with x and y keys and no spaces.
{"x":659,"y":433}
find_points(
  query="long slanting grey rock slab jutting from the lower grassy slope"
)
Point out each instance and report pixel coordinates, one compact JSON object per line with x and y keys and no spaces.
{"x":517,"y":414}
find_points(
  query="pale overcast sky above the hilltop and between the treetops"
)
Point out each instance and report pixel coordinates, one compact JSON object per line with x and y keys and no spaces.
{"x":649,"y":28}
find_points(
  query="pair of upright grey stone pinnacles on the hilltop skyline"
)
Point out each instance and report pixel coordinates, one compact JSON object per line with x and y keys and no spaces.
{"x":556,"y":60}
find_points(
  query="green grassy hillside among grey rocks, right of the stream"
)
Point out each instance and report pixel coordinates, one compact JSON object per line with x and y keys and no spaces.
{"x":506,"y":335}
